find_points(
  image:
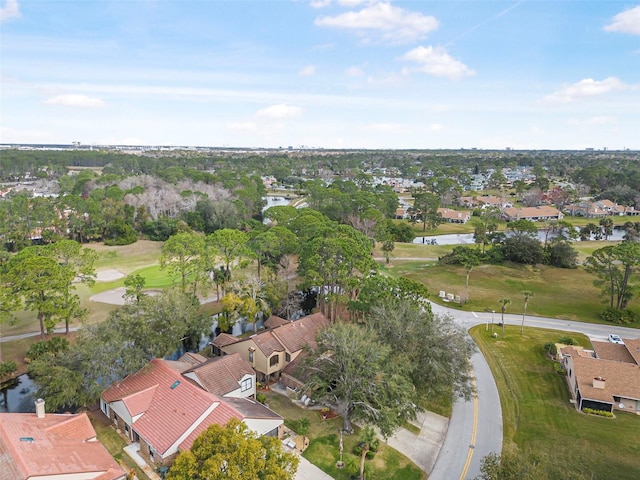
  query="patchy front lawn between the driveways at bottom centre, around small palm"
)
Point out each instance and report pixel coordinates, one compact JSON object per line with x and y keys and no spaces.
{"x":323,"y":450}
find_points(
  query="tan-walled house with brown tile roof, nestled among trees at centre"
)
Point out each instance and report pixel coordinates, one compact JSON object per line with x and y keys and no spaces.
{"x":270,"y":351}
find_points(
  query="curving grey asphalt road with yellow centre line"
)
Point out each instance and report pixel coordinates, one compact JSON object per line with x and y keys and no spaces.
{"x":475,"y":427}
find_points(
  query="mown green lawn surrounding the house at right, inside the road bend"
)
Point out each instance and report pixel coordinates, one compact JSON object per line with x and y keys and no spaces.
{"x":538,"y":418}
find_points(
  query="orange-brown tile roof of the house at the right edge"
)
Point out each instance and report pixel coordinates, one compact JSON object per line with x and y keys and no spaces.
{"x":621,"y":379}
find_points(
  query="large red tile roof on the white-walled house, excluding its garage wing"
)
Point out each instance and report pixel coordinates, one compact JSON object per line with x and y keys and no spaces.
{"x":176,"y":404}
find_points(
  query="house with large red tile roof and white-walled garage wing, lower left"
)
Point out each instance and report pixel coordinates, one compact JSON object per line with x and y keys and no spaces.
{"x":164,"y":411}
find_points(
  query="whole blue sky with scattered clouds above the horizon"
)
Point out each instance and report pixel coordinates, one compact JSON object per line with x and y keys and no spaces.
{"x":323,"y":73}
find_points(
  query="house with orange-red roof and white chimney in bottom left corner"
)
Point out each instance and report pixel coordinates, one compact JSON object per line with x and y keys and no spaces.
{"x":53,"y":447}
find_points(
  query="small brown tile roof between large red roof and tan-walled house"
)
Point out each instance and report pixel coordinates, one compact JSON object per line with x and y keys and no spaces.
{"x":222,"y":375}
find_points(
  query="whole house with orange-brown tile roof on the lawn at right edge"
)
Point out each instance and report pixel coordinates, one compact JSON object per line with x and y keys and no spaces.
{"x":606,"y":378}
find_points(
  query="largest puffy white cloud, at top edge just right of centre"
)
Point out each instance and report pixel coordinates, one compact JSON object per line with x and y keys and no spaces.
{"x":383,"y":22}
